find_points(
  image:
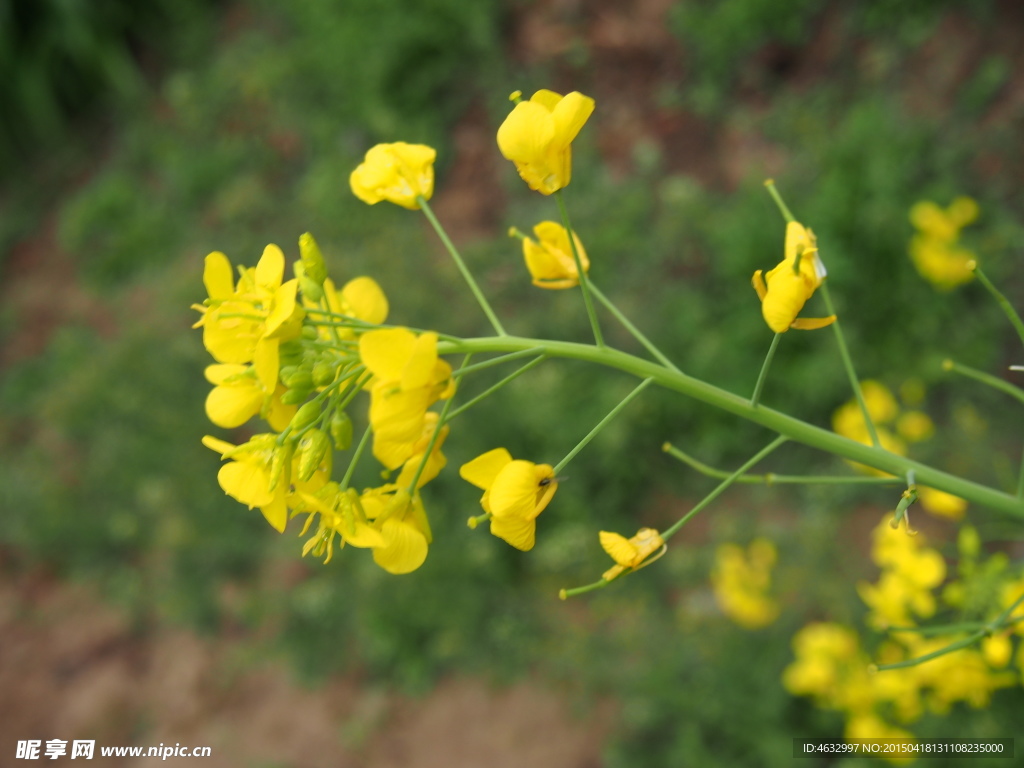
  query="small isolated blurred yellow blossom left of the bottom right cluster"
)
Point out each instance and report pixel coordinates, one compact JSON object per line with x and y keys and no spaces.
{"x":742,"y":580}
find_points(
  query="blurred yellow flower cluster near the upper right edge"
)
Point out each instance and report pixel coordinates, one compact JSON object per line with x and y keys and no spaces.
{"x":935,"y":248}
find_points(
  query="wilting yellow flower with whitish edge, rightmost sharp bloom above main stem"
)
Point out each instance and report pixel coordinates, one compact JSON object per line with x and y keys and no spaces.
{"x":785,"y":290}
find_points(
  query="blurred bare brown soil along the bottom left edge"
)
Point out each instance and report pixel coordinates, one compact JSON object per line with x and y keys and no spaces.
{"x":74,"y":668}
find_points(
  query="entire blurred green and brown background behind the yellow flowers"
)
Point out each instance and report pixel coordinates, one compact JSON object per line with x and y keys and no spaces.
{"x":141,"y":606}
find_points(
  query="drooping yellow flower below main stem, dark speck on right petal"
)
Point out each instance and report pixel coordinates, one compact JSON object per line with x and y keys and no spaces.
{"x":516,"y":492}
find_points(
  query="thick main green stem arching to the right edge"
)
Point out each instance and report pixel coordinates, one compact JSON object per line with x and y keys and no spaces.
{"x":777,"y":421}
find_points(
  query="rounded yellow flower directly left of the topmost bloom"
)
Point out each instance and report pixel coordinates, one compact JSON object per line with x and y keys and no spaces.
{"x":399,"y":174}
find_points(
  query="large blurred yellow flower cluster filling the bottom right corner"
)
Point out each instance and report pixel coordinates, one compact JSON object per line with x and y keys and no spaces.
{"x":832,"y":667}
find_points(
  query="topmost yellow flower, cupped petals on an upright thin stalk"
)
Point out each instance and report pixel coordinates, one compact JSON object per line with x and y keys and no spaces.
{"x":538,"y":137}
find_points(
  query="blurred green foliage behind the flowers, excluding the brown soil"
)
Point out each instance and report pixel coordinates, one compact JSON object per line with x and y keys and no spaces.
{"x":251,"y":142}
